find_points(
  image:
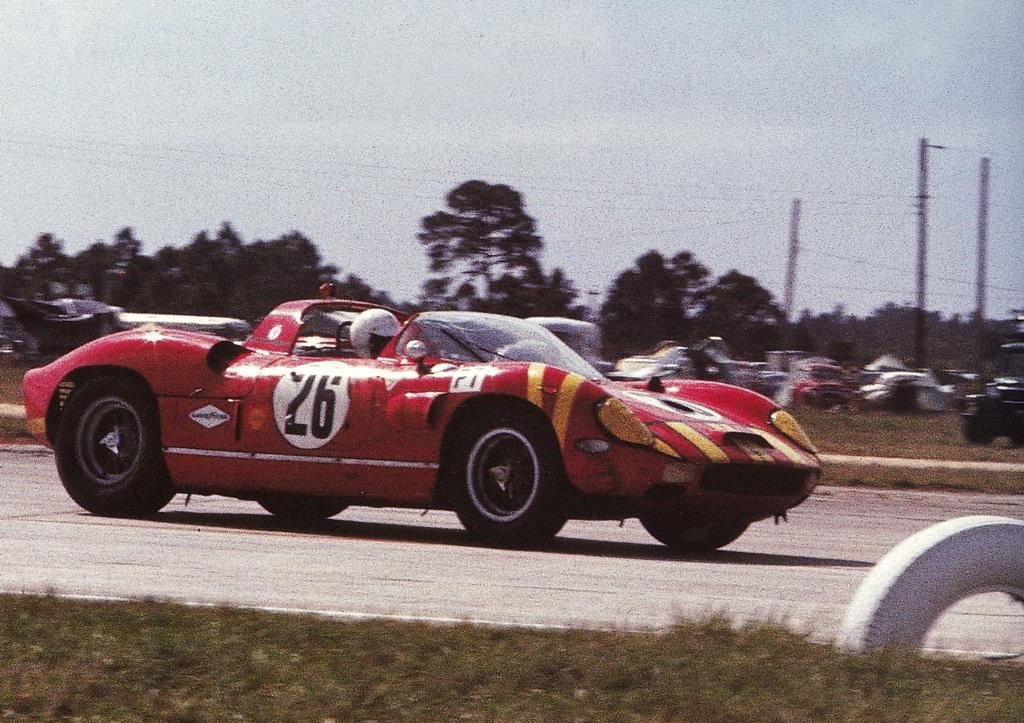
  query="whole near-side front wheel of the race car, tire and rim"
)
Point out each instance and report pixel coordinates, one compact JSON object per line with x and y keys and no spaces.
{"x":507,"y":481}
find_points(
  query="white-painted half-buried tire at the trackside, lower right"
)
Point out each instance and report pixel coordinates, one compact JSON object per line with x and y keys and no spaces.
{"x":928,"y":573}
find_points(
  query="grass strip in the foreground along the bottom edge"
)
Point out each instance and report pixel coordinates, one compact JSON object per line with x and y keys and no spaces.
{"x":149,"y":661}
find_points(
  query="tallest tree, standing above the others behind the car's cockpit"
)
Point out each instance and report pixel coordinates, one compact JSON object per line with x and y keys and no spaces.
{"x":485,"y":239}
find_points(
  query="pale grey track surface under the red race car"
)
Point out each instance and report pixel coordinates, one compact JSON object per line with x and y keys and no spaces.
{"x":407,"y":566}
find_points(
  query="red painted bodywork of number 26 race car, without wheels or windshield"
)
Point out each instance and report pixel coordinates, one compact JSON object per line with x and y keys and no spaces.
{"x":262,"y":418}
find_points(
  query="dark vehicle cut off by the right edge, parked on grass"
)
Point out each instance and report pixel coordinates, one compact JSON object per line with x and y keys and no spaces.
{"x":1000,"y":411}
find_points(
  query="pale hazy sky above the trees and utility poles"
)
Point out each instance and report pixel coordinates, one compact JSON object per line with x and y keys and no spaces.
{"x":627,"y":127}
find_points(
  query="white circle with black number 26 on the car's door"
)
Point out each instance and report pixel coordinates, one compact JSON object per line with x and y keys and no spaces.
{"x":311,"y":404}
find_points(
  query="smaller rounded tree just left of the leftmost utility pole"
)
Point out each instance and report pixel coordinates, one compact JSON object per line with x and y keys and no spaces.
{"x":745,"y":314}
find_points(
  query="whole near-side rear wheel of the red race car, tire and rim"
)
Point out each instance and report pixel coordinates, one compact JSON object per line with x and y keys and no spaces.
{"x":108,"y":450}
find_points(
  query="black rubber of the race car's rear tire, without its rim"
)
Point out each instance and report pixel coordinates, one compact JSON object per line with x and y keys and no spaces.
{"x":148,"y":488}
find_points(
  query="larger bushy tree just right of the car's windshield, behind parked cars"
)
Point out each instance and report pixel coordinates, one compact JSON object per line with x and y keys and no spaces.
{"x":656,"y":301}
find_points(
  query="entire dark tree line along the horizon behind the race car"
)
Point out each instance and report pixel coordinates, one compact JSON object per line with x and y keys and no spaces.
{"x":484,"y":253}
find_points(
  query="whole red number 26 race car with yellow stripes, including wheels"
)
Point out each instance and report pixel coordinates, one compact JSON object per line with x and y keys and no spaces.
{"x":489,"y":416}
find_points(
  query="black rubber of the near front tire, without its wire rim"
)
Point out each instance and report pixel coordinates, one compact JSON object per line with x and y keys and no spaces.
{"x":547,"y":512}
